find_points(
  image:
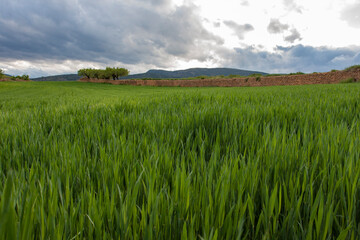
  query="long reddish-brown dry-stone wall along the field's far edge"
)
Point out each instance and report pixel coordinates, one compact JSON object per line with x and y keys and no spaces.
{"x":314,"y":78}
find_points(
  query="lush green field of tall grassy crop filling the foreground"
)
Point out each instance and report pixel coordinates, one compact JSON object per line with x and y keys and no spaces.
{"x":84,"y":161}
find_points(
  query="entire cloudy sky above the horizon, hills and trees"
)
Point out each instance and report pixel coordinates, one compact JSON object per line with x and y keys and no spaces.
{"x":47,"y":37}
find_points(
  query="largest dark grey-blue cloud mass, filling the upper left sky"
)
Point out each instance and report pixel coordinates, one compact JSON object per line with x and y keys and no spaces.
{"x":131,"y":32}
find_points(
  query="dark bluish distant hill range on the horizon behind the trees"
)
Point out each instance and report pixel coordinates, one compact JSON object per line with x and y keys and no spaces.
{"x":187,"y":73}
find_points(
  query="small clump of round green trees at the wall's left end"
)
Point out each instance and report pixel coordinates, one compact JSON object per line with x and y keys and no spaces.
{"x":108,"y":73}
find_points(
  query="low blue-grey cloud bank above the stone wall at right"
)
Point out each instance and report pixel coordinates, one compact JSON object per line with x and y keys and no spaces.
{"x":293,"y":59}
